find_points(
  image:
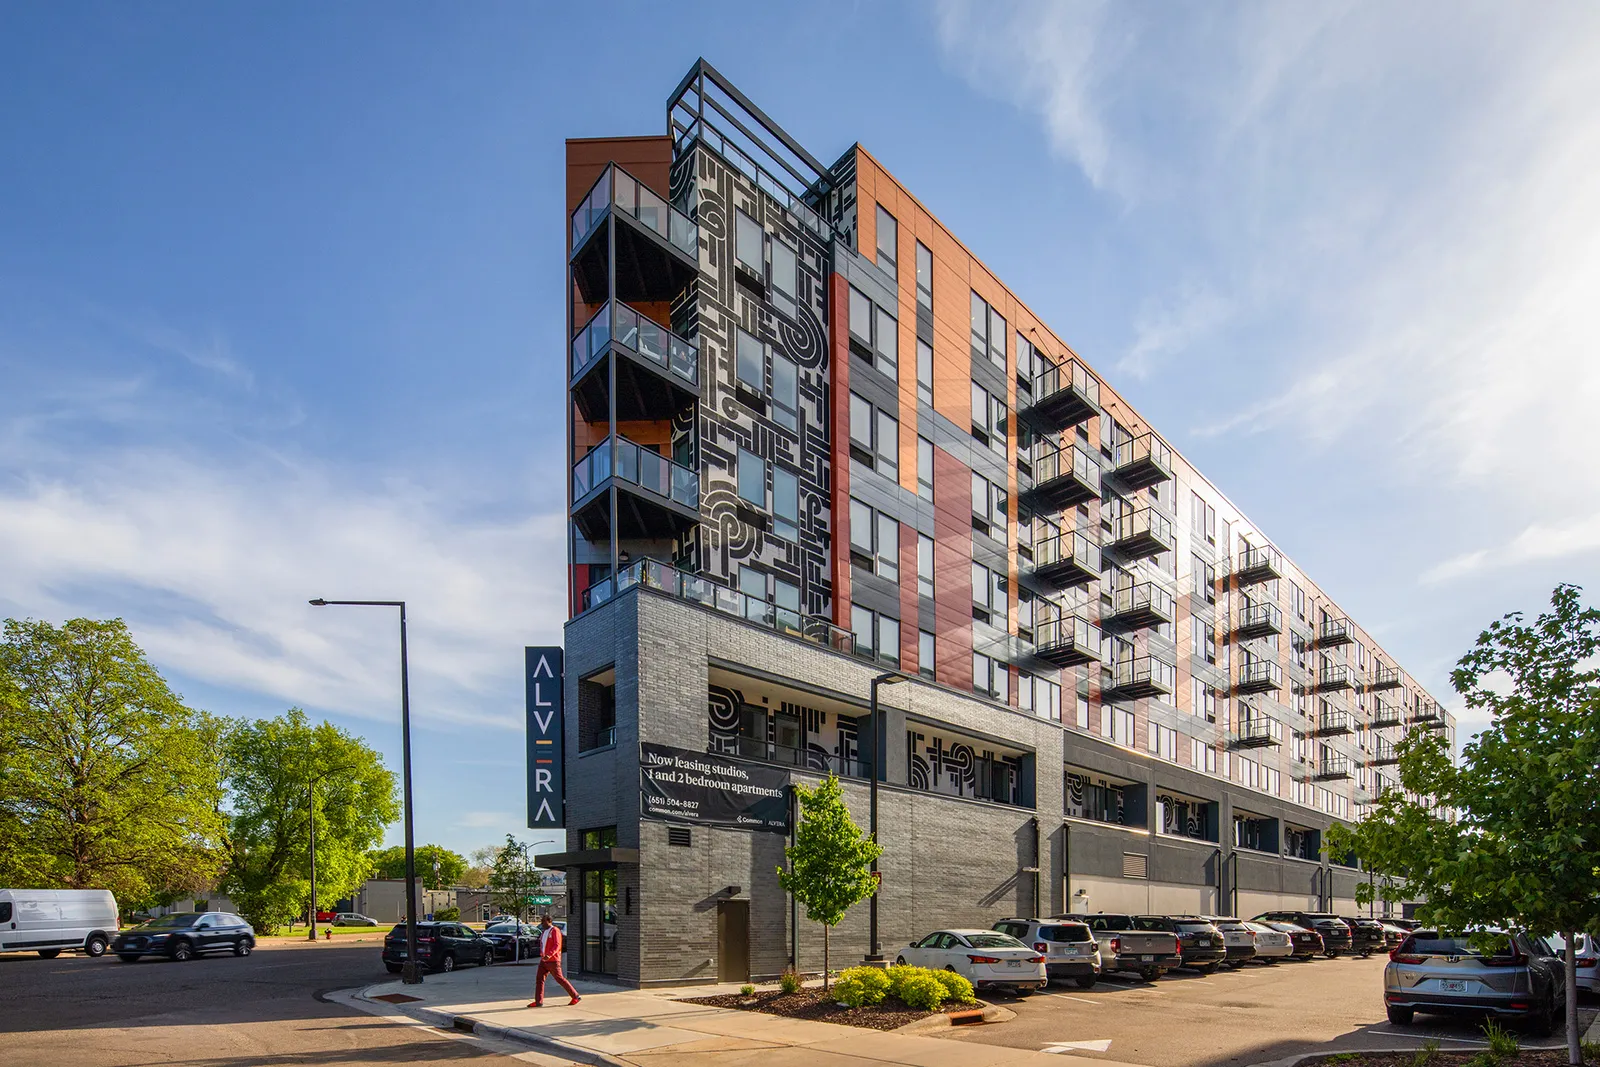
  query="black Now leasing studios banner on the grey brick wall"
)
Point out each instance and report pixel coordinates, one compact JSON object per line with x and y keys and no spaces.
{"x":711,"y":789}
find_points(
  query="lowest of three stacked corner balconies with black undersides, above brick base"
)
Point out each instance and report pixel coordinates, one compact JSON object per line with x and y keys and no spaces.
{"x":657,"y":498}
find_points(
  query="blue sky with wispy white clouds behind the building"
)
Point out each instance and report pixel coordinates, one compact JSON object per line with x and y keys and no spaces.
{"x":281,"y":303}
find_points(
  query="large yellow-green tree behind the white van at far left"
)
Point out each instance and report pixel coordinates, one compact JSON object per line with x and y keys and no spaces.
{"x":106,"y":778}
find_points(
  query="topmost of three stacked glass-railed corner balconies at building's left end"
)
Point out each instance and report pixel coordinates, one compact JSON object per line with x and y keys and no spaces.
{"x":657,"y":246}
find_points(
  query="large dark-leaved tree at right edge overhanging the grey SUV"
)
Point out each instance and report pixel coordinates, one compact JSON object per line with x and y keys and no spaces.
{"x":1511,"y":836}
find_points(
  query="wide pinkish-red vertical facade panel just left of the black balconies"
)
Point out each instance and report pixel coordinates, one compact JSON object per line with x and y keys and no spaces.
{"x":953,"y":570}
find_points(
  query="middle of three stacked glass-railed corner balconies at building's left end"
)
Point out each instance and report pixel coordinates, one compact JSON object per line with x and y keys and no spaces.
{"x":657,"y":372}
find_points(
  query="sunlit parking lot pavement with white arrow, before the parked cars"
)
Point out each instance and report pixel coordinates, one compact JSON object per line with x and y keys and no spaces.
{"x":1250,"y":1017}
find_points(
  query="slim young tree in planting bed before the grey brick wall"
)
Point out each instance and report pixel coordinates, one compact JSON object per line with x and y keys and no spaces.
{"x":831,"y":861}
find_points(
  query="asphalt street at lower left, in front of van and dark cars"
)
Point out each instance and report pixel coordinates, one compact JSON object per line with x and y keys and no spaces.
{"x":217,"y":1012}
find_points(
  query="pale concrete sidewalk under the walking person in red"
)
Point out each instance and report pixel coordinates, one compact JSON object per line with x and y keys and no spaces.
{"x":652,"y":1029}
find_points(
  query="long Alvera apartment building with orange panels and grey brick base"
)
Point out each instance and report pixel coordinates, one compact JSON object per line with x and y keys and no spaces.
{"x":815,"y":442}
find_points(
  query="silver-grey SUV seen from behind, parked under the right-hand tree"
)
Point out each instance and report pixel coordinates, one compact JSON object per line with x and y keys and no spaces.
{"x":1439,"y":973}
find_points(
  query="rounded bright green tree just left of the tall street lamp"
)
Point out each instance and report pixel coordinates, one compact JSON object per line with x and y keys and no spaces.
{"x":284,"y":773}
